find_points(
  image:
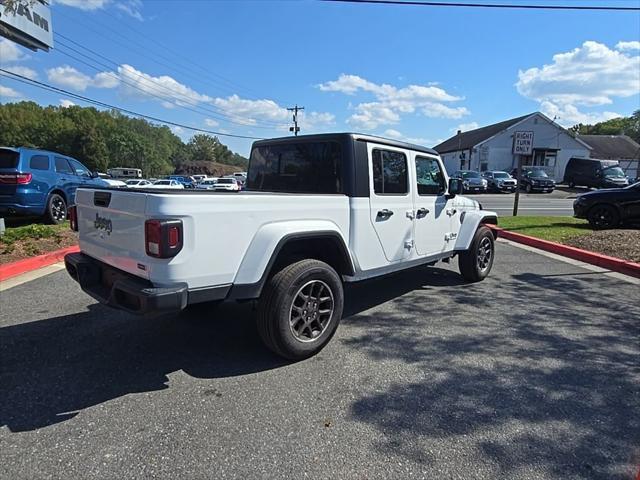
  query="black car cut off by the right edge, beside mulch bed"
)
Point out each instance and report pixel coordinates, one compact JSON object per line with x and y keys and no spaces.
{"x":609,"y":208}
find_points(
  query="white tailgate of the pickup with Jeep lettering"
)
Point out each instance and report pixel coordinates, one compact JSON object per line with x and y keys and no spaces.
{"x":111,"y":227}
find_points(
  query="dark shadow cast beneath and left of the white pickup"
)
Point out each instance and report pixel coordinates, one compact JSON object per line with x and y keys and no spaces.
{"x":54,"y":368}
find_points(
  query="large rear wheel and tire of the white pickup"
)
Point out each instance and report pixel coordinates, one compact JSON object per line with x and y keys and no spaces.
{"x":285,"y":293}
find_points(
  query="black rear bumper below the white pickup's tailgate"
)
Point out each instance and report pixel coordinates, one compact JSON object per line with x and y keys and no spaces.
{"x":124,"y":291}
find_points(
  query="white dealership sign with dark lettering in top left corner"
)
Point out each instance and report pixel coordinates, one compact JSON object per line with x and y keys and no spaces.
{"x":27,"y":22}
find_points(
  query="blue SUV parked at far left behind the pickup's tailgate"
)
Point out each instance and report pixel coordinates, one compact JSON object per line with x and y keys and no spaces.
{"x":37,"y":182}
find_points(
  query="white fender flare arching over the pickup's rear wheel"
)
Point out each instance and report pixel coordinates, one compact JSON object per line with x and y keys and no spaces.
{"x":266,"y":245}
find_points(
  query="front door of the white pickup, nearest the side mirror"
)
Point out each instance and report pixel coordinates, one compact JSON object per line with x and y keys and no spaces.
{"x":432,"y":209}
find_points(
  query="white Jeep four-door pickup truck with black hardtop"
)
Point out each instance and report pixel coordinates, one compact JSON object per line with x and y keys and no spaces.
{"x":318,"y":211}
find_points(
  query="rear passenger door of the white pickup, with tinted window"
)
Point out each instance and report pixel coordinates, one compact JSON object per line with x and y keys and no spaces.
{"x":390,"y":201}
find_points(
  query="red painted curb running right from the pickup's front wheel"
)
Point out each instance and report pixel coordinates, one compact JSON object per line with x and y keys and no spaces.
{"x":604,"y":261}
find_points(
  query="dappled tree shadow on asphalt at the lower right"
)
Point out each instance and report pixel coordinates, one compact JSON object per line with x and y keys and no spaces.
{"x":539,"y":374}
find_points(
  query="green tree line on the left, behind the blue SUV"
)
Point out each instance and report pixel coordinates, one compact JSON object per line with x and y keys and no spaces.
{"x":103,"y":139}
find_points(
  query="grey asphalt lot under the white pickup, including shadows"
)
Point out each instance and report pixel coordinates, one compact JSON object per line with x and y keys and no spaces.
{"x":531,"y":374}
